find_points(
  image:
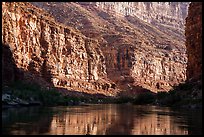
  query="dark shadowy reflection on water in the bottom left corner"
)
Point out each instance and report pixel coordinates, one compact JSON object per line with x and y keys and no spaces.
{"x":23,"y":121}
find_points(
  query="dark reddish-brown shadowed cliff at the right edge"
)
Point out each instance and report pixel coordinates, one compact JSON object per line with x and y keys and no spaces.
{"x":194,"y":41}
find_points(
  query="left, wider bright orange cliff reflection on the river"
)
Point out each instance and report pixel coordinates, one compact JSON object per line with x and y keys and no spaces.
{"x":84,"y":120}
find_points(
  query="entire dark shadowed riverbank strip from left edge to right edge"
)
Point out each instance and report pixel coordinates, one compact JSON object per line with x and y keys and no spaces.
{"x":20,"y":94}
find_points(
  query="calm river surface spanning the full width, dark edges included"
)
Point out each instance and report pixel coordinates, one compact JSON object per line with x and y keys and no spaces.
{"x":101,"y":119}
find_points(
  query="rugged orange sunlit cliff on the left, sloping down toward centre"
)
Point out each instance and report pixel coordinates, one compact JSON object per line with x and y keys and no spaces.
{"x":60,"y":55}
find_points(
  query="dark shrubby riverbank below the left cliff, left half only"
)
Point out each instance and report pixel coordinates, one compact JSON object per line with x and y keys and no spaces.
{"x":21,"y":93}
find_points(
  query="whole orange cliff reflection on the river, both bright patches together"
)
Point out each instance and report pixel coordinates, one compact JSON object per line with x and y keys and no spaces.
{"x":116,"y":119}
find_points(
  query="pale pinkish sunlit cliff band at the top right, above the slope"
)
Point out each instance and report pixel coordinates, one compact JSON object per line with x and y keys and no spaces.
{"x":163,"y":13}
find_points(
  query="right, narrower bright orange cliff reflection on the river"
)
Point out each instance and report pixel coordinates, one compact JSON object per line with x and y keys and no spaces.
{"x":157,"y":122}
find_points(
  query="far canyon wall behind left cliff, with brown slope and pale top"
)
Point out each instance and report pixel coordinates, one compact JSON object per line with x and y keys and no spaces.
{"x":141,"y":42}
